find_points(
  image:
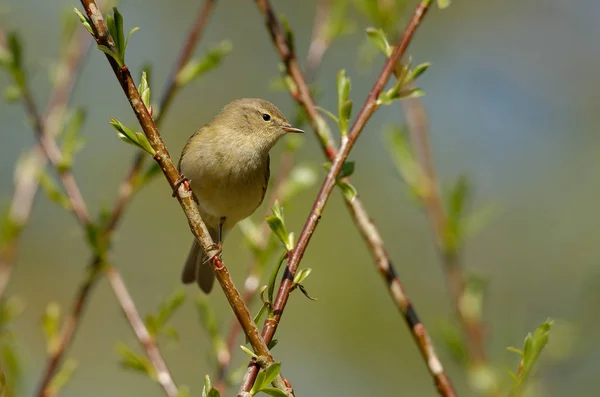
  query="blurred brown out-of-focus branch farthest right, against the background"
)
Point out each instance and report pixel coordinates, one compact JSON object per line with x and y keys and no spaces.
{"x":438,"y":219}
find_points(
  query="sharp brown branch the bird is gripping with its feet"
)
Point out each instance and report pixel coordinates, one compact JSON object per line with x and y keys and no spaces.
{"x":184,"y":196}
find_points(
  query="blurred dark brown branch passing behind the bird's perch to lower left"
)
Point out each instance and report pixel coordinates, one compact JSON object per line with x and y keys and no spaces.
{"x":126,"y":190}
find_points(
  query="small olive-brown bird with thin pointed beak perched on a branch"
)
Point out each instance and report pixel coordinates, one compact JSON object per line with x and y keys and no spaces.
{"x":227,"y":164}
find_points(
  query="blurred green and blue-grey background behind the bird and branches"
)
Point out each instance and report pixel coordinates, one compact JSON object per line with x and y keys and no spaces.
{"x":512,"y":98}
